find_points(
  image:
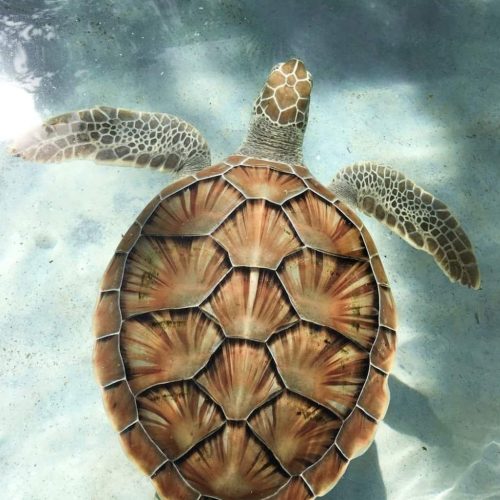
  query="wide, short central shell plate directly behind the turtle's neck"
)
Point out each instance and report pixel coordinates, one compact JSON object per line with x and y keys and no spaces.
{"x":266,"y":183}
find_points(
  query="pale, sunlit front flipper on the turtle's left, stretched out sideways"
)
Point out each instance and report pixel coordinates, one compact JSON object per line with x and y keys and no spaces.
{"x":117,"y":136}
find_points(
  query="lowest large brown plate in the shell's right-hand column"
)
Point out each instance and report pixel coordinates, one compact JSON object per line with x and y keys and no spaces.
{"x":296,"y":430}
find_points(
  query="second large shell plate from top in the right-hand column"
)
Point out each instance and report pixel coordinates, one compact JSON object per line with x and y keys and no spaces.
{"x":339,"y":293}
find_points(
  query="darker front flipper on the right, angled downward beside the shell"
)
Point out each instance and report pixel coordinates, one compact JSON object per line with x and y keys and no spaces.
{"x":421,"y":219}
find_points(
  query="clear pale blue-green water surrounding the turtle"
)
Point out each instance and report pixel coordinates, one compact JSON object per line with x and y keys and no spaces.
{"x":415,"y":85}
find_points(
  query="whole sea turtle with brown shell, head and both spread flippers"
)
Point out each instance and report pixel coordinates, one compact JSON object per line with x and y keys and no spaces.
{"x":245,"y":327}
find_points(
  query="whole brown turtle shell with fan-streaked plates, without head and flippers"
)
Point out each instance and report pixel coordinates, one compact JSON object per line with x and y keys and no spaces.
{"x":244,"y":334}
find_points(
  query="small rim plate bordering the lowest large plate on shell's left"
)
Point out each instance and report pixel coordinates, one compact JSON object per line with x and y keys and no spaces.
{"x":139,"y":447}
